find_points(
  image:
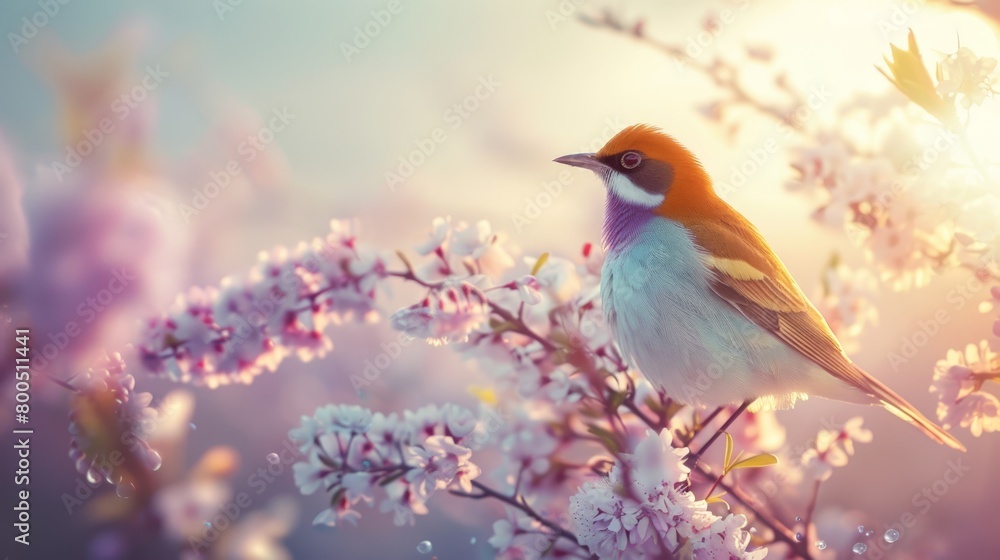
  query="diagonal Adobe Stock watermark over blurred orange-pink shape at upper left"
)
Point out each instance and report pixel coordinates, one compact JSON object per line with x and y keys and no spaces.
{"x":122,"y":106}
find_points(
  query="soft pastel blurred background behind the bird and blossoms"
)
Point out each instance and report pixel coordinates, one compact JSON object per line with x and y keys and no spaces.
{"x":319,"y":117}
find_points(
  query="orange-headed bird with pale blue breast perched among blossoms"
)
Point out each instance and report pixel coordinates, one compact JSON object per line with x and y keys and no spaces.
{"x":698,"y":301}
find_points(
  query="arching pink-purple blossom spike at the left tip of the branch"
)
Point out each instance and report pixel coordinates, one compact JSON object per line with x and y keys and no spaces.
{"x":233,"y":333}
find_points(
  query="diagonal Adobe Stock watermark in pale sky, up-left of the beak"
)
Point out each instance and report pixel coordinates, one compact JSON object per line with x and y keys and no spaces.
{"x":454,"y":117}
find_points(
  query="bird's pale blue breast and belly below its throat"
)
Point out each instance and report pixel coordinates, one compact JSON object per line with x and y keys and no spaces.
{"x":683,"y":337}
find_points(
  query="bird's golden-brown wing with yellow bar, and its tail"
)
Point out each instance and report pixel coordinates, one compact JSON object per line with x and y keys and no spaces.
{"x":745,"y":272}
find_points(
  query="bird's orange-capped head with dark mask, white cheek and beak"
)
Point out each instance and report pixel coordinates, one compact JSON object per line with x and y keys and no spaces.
{"x":643,"y":167}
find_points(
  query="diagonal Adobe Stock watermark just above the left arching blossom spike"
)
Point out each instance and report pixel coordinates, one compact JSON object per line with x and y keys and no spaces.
{"x":248,"y":150}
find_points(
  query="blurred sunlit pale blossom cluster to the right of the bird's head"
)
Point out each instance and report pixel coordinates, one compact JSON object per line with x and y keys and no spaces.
{"x":887,"y":206}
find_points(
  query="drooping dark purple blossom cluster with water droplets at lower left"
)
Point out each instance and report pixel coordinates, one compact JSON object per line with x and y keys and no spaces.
{"x":109,"y":423}
